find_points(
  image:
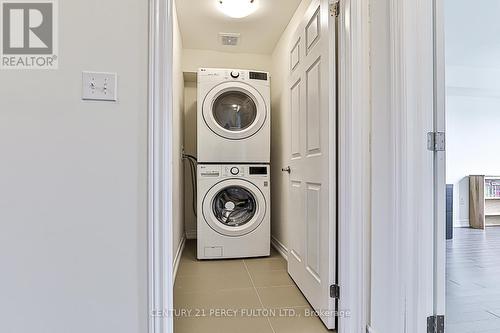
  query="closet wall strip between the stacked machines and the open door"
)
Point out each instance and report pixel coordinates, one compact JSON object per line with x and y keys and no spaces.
{"x":280,"y":140}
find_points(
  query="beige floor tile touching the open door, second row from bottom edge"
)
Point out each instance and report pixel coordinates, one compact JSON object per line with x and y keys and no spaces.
{"x":276,"y":297}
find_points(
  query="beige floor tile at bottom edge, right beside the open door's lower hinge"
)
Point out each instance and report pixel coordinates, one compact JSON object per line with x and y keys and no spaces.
{"x":300,"y":321}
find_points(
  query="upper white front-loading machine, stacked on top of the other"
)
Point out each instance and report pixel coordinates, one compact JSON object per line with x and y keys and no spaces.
{"x":234,"y":116}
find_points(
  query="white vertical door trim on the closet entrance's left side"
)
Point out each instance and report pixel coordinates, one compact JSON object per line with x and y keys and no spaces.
{"x":160,"y":234}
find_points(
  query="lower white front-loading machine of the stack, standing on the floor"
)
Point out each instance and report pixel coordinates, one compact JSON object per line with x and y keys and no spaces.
{"x":233,"y":211}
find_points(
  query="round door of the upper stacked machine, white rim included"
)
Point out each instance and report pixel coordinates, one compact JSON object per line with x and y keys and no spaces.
{"x":234,"y":110}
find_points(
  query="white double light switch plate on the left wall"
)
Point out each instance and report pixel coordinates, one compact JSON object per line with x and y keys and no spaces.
{"x":99,"y":86}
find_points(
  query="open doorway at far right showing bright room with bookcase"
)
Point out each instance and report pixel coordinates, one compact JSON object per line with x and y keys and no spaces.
{"x":473,"y":167}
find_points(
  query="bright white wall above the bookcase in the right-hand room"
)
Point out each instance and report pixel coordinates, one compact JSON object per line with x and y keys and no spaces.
{"x":473,"y":97}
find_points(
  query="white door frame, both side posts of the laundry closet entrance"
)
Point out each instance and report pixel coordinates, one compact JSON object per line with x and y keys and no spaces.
{"x":354,"y":177}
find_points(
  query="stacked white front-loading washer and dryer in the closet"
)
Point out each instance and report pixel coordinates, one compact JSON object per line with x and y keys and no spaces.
{"x":233,"y":179}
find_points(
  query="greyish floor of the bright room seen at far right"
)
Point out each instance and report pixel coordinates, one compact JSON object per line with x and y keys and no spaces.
{"x":473,"y":281}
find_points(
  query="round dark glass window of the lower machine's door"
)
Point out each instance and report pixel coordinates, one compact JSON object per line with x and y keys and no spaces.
{"x":234,"y":206}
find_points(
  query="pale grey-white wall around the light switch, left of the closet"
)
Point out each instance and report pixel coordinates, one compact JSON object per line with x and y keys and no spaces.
{"x":73,"y":177}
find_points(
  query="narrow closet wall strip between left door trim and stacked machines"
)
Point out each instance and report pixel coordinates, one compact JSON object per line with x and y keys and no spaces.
{"x":178,"y":137}
